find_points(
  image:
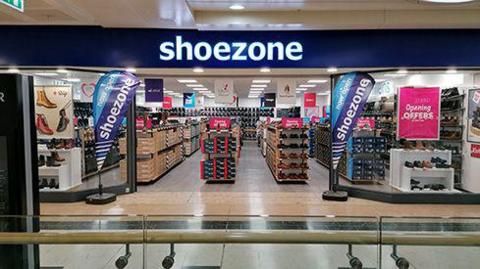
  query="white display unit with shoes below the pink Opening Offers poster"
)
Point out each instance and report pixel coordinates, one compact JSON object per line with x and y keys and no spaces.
{"x":421,"y":177}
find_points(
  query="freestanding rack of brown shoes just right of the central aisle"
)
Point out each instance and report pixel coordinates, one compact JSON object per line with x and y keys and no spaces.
{"x":286,"y":154}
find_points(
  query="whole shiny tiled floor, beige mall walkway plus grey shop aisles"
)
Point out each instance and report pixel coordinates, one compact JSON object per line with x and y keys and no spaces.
{"x":181,"y":192}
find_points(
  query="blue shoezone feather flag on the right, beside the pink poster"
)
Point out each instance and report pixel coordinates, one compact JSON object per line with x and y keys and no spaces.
{"x":349,"y":98}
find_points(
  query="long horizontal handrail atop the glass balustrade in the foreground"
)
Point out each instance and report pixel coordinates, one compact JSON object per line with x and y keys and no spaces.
{"x":241,"y":237}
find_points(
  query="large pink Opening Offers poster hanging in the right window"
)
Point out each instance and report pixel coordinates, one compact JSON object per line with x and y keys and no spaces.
{"x":419,"y":113}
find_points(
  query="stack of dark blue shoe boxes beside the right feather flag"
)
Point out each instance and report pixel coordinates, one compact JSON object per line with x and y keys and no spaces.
{"x":364,"y":162}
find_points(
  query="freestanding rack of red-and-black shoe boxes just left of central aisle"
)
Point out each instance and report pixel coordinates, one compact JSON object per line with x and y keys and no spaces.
{"x":221,"y":150}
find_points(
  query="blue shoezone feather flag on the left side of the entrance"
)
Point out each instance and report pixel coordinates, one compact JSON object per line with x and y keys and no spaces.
{"x":113,"y":93}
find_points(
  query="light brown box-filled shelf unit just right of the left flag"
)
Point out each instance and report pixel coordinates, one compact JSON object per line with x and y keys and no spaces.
{"x":158,"y":151}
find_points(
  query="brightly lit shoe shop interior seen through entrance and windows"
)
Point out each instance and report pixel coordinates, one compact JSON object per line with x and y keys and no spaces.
{"x":178,"y":149}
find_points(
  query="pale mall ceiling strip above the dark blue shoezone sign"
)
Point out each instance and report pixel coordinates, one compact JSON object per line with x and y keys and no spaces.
{"x":261,"y":15}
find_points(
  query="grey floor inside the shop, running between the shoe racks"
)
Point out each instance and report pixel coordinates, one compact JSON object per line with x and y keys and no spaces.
{"x":253,"y":175}
